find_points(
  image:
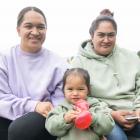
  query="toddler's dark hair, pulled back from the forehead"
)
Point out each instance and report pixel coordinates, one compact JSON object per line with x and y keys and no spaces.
{"x":77,"y":71}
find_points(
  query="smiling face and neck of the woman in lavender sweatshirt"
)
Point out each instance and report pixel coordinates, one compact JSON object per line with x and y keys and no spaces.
{"x":32,"y":32}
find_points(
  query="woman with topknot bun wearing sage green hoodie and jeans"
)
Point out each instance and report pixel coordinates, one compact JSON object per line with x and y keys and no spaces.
{"x":116,"y":75}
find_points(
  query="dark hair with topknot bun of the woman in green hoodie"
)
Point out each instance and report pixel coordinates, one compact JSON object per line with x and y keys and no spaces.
{"x":105,"y":15}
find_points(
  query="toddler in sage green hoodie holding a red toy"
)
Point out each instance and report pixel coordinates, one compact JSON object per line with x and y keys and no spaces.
{"x":79,"y":117}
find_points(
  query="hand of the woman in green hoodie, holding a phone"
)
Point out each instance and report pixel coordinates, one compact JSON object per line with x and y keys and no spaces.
{"x":119,"y":117}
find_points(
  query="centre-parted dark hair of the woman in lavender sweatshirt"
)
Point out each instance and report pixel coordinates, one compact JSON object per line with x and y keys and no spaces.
{"x":27,"y":9}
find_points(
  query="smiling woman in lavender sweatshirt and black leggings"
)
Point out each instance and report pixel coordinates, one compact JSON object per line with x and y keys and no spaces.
{"x":30,"y":81}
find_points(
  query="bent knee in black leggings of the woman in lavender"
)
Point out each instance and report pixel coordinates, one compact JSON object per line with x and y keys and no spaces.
{"x":29,"y":127}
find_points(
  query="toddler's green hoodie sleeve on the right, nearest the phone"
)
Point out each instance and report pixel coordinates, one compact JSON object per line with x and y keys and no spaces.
{"x":103,"y":122}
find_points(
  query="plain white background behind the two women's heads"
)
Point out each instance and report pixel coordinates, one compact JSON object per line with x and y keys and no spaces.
{"x":69,"y":21}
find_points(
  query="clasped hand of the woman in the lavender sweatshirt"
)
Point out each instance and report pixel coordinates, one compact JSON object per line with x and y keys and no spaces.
{"x":43,"y":108}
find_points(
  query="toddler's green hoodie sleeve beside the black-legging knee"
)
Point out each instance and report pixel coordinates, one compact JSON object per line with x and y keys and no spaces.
{"x":55,"y":123}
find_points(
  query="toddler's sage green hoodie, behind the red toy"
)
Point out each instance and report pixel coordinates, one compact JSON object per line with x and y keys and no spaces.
{"x":102,"y":122}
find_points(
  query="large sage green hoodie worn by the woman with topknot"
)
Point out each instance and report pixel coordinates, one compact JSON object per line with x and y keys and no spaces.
{"x":115,"y":79}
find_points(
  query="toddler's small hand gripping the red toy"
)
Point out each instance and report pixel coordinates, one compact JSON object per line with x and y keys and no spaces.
{"x":71,"y":115}
